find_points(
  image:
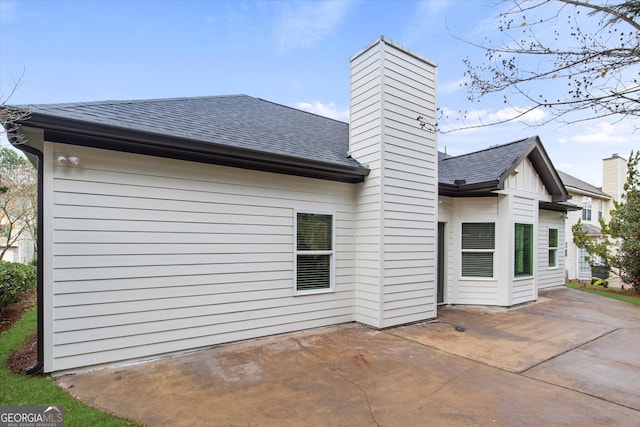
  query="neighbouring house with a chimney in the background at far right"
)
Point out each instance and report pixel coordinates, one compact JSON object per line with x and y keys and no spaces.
{"x":596,"y":203}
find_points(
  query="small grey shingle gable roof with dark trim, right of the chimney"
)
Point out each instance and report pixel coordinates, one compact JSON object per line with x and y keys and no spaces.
{"x":481,"y":172}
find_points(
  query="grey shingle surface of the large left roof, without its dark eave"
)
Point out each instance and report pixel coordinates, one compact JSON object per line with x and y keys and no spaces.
{"x":238,"y":121}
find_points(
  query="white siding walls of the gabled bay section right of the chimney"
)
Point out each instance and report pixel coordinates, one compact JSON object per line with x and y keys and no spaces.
{"x":517,"y":203}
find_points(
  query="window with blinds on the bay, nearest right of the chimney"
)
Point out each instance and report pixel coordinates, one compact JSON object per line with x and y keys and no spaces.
{"x":478,"y":246}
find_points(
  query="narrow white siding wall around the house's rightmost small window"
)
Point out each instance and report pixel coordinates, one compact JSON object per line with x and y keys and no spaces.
{"x":548,"y":277}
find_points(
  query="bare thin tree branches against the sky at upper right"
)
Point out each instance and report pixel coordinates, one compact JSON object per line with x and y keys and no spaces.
{"x":564,"y":56}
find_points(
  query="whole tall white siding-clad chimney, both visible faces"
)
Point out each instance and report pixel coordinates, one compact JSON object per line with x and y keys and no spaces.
{"x":396,"y":217}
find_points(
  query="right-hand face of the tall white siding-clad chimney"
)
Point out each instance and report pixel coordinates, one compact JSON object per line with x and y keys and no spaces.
{"x":410,"y":189}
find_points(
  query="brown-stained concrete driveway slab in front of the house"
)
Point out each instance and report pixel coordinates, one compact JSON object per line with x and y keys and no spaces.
{"x":570,"y":359}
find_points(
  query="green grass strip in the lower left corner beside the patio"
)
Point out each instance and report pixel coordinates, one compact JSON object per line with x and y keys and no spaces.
{"x":41,"y":390}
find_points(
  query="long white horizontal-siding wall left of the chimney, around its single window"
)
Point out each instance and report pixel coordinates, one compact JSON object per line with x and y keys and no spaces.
{"x":152,"y":256}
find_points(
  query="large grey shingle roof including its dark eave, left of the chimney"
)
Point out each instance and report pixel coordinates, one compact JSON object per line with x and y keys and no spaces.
{"x":236,"y":130}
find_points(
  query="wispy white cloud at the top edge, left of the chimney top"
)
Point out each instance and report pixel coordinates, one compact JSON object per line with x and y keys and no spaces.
{"x":303,"y":24}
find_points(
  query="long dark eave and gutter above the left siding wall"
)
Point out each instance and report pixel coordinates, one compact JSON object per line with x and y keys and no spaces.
{"x":76,"y":132}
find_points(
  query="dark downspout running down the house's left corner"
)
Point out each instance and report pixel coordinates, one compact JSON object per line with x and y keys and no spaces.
{"x":39,"y":238}
